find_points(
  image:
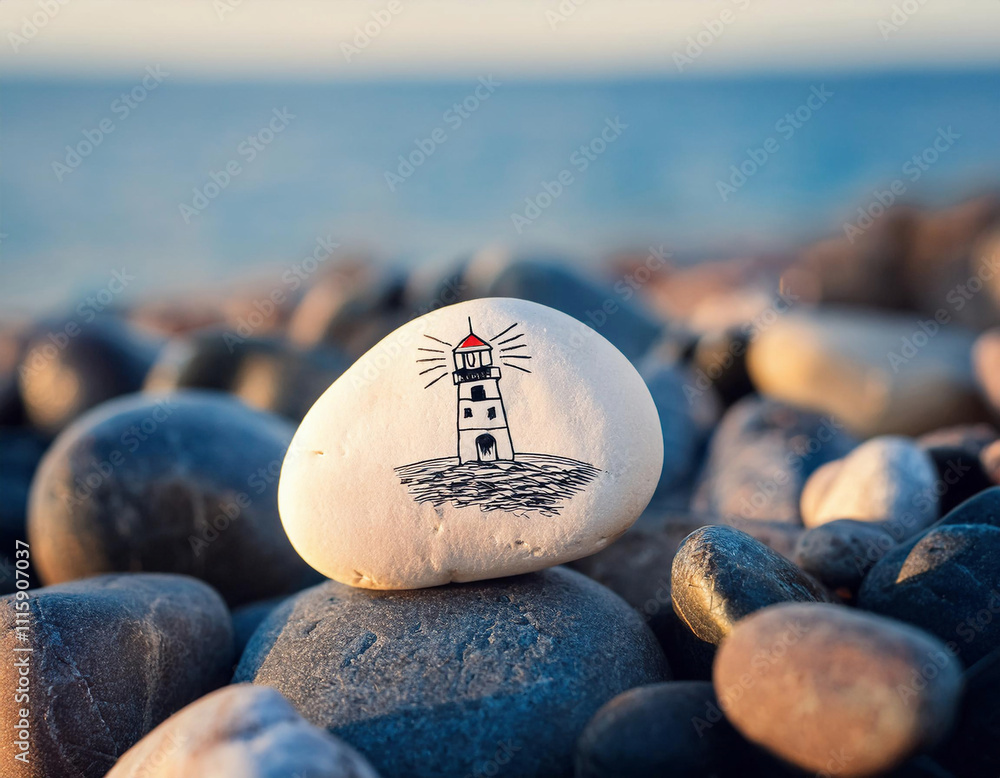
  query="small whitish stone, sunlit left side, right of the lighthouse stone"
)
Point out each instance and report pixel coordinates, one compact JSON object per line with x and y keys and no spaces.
{"x":884,"y":479}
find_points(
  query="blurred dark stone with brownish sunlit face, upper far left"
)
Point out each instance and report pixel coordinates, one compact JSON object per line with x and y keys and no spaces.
{"x":70,"y":366}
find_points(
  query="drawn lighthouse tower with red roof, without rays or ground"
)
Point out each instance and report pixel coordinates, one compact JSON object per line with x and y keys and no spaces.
{"x":483,"y":435}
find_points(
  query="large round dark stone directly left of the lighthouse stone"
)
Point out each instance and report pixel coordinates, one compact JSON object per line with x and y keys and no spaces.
{"x":183,"y":483}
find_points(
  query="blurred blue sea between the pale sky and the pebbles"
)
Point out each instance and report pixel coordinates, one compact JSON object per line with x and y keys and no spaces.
{"x":184,"y":184}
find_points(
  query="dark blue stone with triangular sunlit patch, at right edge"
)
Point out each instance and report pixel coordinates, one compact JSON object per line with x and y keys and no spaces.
{"x":945,"y":581}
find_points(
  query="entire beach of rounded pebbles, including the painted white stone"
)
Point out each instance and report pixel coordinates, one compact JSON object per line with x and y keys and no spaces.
{"x":512,"y":515}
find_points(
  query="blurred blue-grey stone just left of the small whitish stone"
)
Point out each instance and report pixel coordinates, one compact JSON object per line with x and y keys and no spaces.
{"x":760,"y":457}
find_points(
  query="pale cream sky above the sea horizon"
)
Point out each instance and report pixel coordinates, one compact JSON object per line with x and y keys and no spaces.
{"x":456,"y":38}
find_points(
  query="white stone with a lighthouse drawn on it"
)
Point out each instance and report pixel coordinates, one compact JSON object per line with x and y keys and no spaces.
{"x":372,"y":491}
